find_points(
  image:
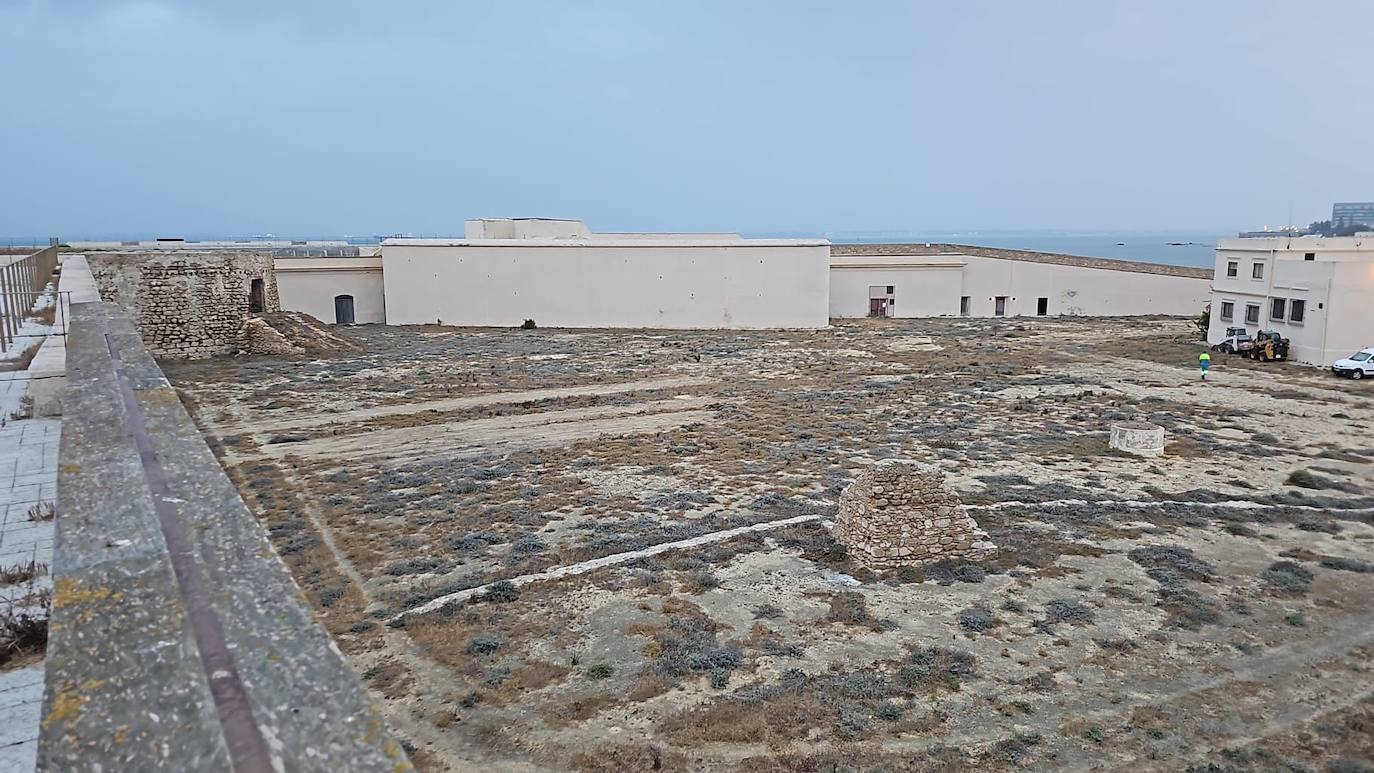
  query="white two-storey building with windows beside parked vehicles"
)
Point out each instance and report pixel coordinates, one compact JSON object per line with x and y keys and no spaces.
{"x":1316,"y":292}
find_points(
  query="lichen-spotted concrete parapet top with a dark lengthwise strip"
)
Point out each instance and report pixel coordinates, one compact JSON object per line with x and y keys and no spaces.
{"x":178,"y":641}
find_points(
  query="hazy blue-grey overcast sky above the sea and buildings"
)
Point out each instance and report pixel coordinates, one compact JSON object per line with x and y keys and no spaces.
{"x":329,"y":117}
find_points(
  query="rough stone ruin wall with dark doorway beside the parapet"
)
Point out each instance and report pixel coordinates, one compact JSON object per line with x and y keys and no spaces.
{"x":188,"y":305}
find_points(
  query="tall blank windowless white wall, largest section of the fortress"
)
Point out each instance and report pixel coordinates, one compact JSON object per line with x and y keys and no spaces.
{"x":609,"y":284}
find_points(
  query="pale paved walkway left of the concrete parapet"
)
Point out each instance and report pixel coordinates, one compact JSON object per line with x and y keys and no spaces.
{"x":28,"y":478}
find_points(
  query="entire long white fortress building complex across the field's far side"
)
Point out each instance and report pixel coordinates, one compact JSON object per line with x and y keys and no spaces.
{"x":561,"y":274}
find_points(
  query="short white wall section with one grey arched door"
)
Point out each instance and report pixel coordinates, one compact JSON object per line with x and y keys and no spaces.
{"x":311,"y":285}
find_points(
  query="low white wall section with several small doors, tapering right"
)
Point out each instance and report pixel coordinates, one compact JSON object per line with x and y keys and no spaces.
{"x":934,"y":286}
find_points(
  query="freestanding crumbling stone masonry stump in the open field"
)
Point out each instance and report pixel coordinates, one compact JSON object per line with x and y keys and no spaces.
{"x":902,"y":514}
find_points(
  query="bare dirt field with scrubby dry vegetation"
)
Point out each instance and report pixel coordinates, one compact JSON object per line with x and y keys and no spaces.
{"x":1208,"y":610}
